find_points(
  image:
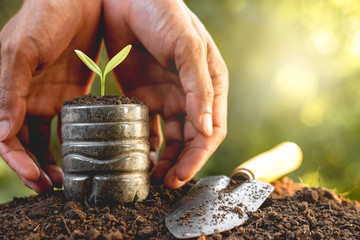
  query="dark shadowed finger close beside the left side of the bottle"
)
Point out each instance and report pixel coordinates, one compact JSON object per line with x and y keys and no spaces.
{"x":39,"y":139}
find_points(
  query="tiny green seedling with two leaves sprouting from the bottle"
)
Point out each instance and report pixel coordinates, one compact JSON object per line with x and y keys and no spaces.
{"x":116,"y":60}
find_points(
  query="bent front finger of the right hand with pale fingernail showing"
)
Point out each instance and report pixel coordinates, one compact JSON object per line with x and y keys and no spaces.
{"x":191,"y":62}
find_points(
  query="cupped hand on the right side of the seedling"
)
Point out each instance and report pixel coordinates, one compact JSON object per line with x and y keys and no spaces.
{"x":177,"y":70}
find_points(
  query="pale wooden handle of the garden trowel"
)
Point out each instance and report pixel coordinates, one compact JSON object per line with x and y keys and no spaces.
{"x":272,"y":164}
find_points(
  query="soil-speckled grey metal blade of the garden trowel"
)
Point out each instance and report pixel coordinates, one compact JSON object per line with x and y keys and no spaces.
{"x":212,"y":206}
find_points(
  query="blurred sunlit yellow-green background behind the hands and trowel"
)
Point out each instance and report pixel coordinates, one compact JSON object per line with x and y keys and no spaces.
{"x":294,"y":75}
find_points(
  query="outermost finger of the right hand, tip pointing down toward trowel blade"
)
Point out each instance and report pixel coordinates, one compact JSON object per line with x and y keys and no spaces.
{"x":199,"y":147}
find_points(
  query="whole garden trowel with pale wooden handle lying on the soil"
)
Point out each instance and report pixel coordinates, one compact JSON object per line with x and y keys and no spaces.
{"x":220,"y":203}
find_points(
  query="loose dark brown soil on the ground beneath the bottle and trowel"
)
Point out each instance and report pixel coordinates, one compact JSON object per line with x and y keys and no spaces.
{"x":293,"y":211}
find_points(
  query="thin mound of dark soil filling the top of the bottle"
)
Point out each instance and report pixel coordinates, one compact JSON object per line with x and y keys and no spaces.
{"x":90,"y":99}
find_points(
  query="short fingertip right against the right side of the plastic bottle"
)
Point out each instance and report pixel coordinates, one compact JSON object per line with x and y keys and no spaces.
{"x":155,"y":137}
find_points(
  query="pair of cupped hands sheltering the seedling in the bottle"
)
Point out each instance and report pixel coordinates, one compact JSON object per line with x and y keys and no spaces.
{"x":174,"y":66}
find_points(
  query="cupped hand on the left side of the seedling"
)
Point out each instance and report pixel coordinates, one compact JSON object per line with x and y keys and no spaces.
{"x":38,"y":70}
